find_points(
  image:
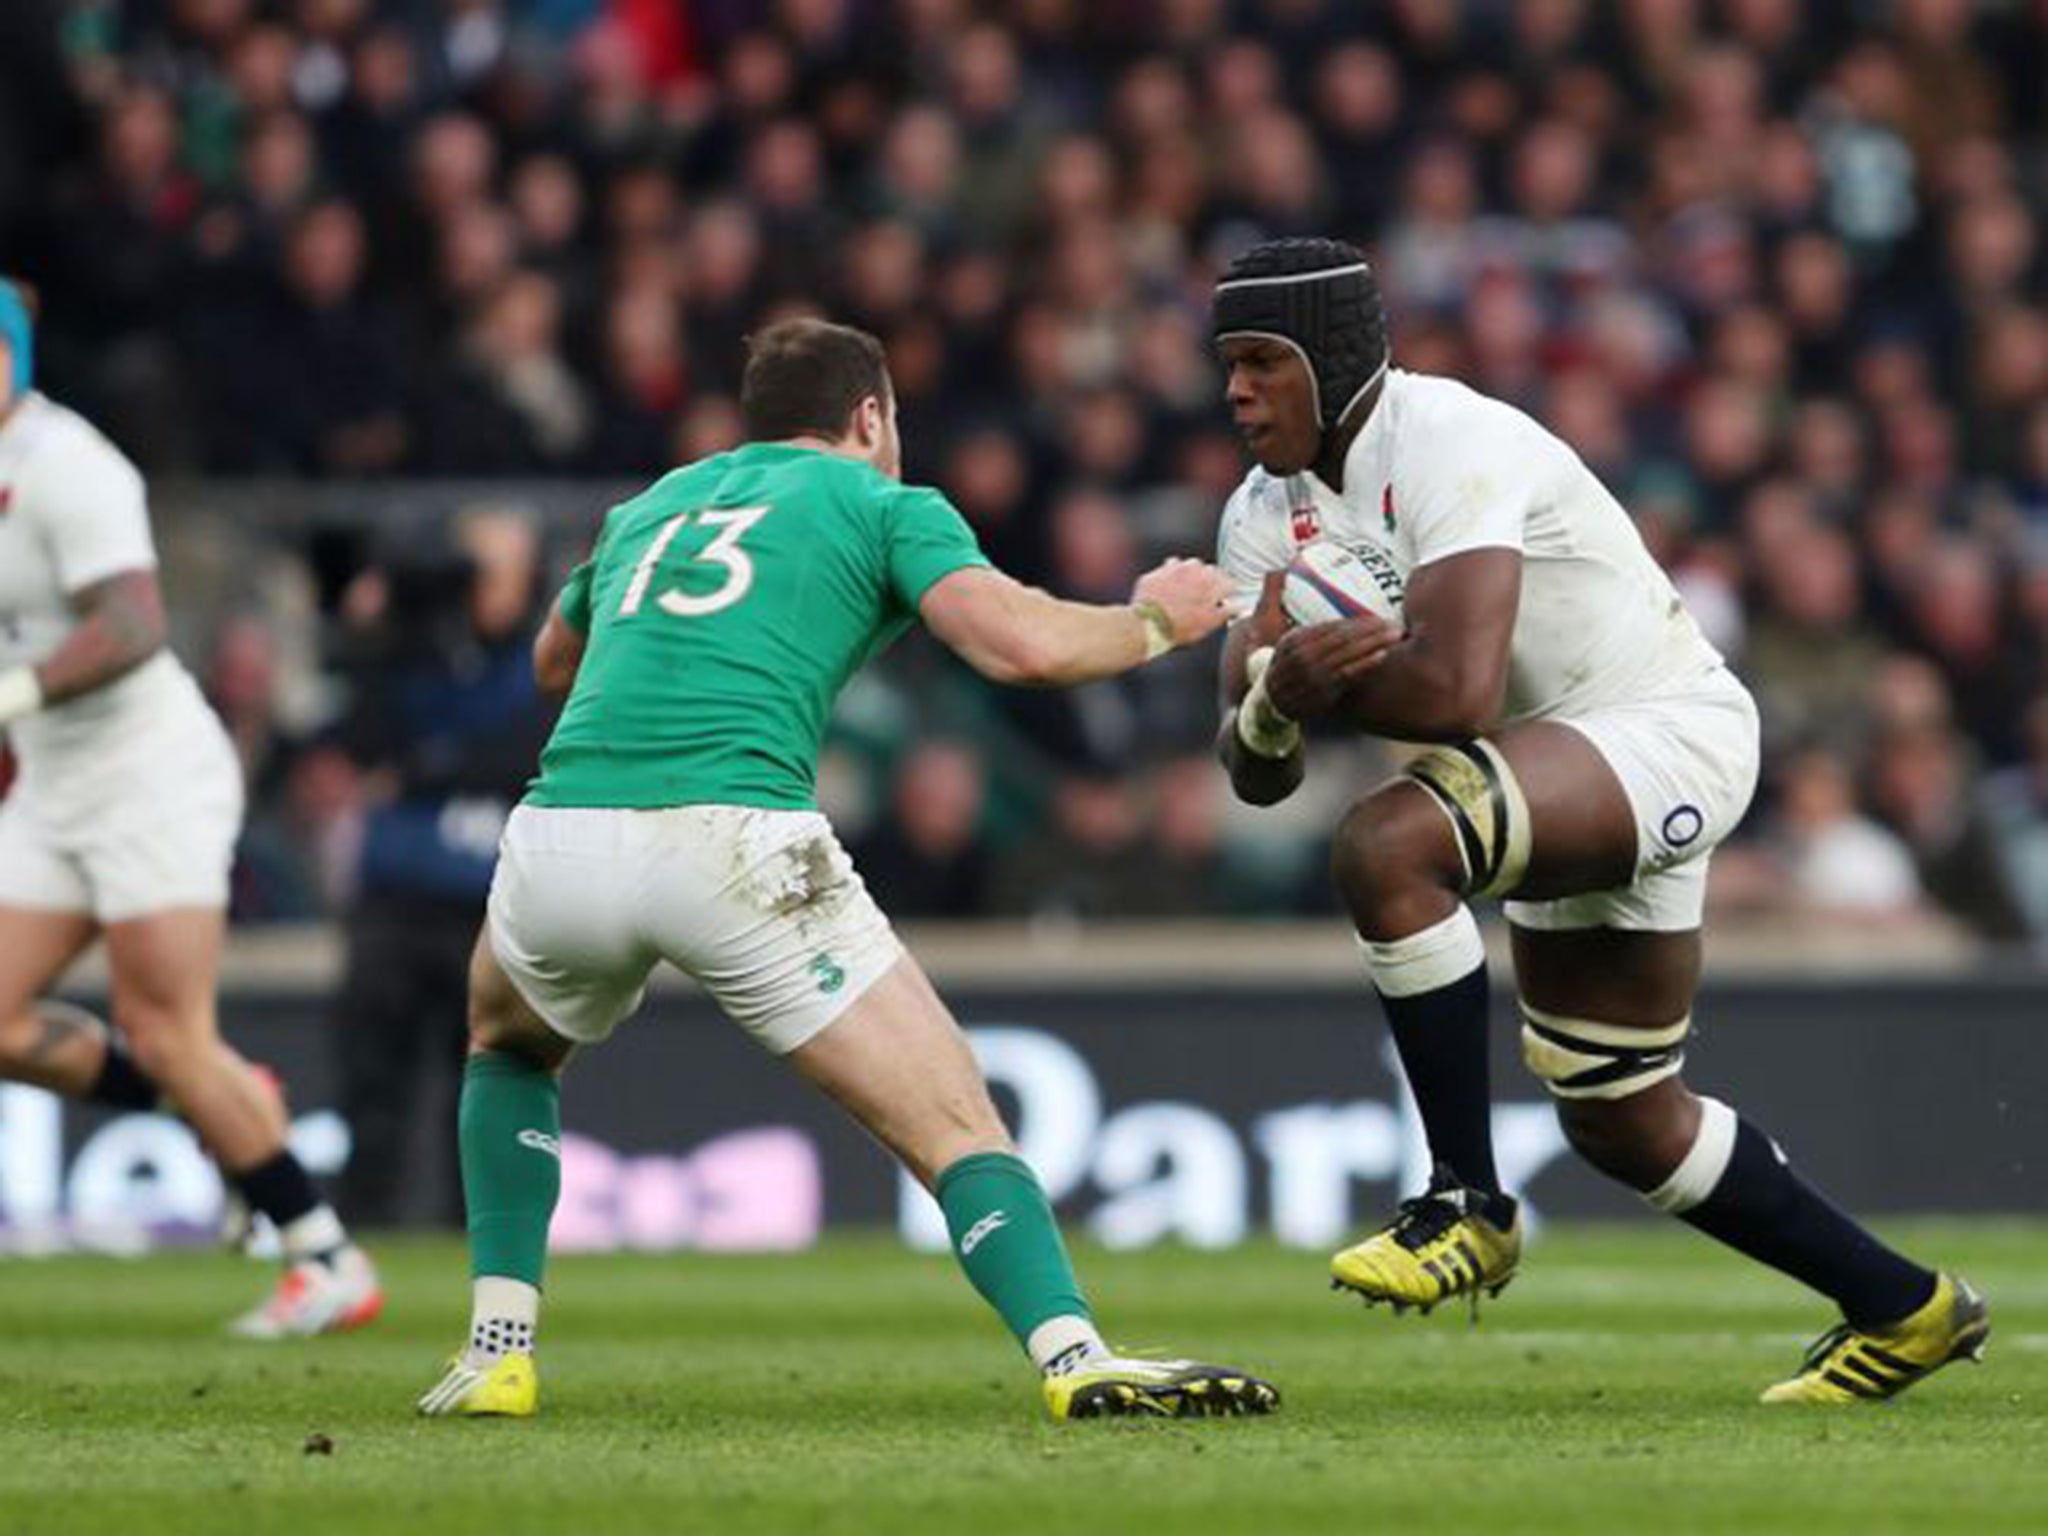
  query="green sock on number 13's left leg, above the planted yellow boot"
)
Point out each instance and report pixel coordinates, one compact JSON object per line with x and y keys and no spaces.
{"x":511,"y":1142}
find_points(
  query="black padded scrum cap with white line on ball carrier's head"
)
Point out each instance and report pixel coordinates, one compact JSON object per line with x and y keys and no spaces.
{"x":1320,"y":298}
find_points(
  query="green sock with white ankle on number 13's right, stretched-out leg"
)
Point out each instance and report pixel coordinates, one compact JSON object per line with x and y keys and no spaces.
{"x":1007,"y":1240}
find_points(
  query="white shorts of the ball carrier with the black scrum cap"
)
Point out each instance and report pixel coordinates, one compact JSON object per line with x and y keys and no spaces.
{"x":1689,"y":765}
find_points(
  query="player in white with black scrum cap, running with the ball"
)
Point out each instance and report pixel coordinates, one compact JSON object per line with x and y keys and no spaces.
{"x":1588,"y":749}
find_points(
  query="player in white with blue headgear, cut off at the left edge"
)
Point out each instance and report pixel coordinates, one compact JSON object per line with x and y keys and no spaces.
{"x":122,"y":824}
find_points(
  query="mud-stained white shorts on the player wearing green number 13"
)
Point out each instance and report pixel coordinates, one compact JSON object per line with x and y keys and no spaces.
{"x":763,"y":908}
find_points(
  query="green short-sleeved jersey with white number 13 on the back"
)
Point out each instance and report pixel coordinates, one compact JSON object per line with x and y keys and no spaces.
{"x":726,"y":607}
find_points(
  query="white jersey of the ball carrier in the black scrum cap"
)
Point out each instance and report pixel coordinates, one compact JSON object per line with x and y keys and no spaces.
{"x":1441,"y":470}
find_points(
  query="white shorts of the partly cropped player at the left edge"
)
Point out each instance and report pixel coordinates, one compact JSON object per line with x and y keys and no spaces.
{"x":155,"y":837}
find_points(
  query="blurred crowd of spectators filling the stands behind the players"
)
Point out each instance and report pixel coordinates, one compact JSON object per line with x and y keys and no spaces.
{"x":1775,"y":269}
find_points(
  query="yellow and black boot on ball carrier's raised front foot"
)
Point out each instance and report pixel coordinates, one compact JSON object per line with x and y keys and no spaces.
{"x":1439,"y":1246}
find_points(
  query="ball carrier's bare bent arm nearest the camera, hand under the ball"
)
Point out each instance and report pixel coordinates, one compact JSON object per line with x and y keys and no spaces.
{"x":1441,"y":683}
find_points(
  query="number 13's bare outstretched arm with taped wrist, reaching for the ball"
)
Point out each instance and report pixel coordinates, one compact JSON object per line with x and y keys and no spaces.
{"x":1017,"y":634}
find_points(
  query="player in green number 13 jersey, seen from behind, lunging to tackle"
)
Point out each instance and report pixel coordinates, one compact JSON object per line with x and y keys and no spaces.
{"x":675,"y":818}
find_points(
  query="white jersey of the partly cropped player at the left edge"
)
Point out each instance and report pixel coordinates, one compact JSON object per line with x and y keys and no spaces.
{"x":73,"y":513}
